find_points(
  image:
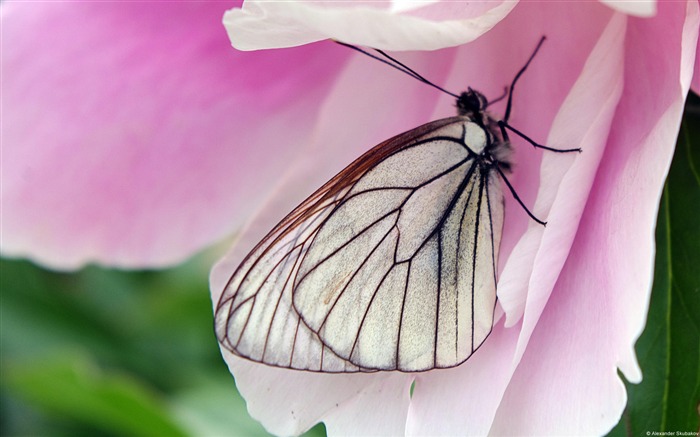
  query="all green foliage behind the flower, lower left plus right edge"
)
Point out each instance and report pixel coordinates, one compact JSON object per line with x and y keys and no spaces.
{"x":104,"y":352}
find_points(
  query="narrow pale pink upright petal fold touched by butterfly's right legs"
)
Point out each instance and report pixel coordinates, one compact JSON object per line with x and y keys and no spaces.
{"x":584,"y":119}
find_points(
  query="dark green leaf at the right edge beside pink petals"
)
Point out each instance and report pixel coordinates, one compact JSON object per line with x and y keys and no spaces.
{"x":669,"y":348}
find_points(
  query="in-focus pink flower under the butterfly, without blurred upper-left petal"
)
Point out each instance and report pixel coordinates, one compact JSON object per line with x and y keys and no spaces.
{"x":573,"y":295}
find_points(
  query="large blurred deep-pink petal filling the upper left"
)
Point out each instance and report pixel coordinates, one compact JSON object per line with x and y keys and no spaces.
{"x":133,"y":135}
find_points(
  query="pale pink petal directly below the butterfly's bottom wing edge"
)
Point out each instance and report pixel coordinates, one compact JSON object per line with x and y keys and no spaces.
{"x":289,"y":402}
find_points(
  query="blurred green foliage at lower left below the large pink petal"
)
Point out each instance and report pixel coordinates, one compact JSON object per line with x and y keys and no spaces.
{"x":112,"y":353}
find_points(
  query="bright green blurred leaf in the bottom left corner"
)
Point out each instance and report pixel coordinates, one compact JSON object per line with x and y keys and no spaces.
{"x":72,"y":387}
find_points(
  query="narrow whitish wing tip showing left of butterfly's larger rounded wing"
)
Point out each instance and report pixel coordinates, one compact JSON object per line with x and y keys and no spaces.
{"x":255,"y":318}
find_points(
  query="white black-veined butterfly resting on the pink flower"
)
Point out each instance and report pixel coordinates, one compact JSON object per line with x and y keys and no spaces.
{"x":391,"y":265}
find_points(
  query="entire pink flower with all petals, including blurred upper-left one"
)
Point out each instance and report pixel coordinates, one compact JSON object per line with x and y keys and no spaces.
{"x":134,"y":136}
